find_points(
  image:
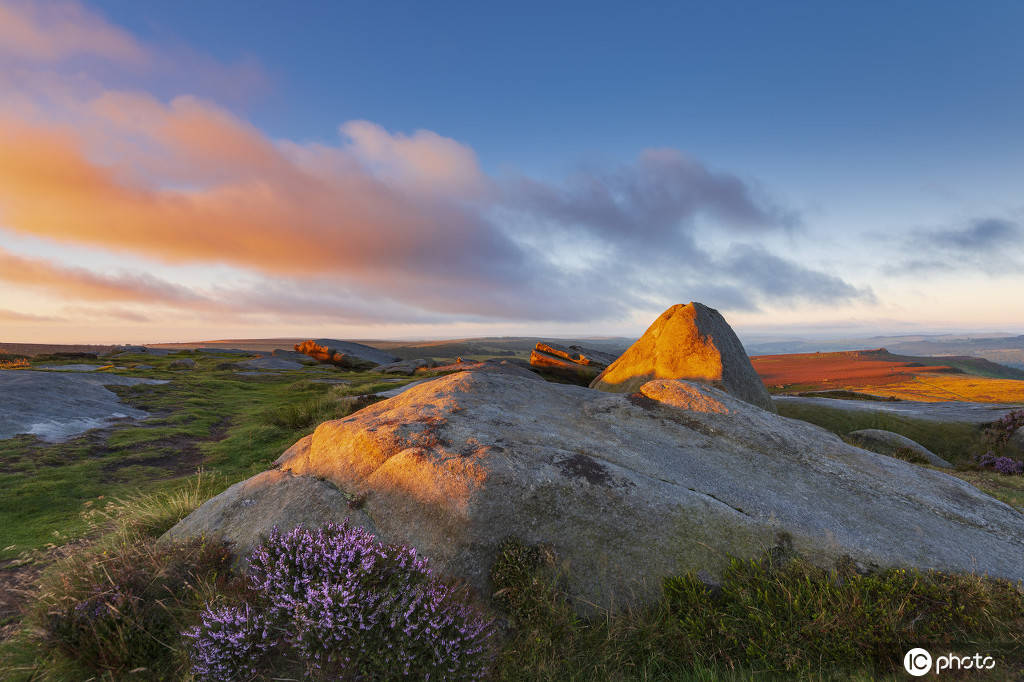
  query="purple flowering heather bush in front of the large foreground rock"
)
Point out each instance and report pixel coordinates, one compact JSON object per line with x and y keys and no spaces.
{"x":349,"y":607}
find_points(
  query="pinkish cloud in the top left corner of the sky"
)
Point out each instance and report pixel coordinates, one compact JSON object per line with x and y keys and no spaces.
{"x":55,"y":31}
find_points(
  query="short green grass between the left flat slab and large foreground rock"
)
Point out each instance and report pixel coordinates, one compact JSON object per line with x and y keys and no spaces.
{"x":206,"y":417}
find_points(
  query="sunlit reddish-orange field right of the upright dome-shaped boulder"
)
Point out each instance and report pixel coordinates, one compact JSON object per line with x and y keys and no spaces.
{"x":881,"y":373}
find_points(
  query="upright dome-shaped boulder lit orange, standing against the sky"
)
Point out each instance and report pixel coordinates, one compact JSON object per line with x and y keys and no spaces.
{"x":692,"y":343}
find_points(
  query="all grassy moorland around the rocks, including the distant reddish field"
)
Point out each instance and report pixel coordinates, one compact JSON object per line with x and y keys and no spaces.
{"x":81,"y":519}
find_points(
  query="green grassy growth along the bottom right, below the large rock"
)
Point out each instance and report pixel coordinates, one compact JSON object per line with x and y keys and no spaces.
{"x":778,"y":617}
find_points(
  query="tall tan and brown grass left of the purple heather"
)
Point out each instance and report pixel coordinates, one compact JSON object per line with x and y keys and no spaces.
{"x":114,"y":608}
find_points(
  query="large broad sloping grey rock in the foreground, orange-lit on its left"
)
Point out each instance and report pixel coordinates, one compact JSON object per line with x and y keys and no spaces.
{"x":626,"y":489}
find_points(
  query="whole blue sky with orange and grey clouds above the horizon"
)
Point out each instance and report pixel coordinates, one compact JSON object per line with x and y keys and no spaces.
{"x":196,"y":170}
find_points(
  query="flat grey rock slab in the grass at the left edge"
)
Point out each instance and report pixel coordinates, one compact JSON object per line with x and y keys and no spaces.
{"x":56,"y":407}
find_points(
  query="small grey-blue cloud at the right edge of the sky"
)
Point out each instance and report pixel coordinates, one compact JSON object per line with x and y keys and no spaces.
{"x":986,"y":245}
